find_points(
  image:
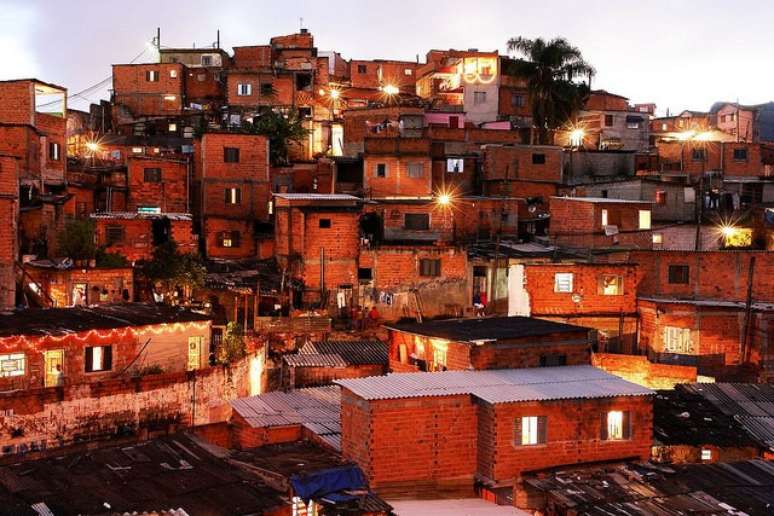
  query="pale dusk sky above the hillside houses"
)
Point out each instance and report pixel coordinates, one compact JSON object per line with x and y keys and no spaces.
{"x":680,"y":55}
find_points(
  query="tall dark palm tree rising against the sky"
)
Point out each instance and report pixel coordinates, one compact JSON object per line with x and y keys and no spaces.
{"x":550,"y":69}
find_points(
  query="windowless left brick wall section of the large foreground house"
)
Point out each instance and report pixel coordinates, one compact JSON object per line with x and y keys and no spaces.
{"x":412,"y":447}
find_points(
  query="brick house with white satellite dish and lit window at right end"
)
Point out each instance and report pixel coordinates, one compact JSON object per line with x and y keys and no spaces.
{"x":589,"y":222}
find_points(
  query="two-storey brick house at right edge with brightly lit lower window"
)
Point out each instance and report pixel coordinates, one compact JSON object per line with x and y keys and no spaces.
{"x":693,"y":311}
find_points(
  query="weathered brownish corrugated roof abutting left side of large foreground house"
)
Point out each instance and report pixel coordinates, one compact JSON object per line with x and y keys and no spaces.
{"x":317,"y":409}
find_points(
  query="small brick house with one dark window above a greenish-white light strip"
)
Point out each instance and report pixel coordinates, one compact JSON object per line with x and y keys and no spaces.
{"x":158,"y":184}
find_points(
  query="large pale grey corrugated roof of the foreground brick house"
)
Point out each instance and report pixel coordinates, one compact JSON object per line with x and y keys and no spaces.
{"x":498,"y":386}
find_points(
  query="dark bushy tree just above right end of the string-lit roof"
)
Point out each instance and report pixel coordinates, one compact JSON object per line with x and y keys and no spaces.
{"x":173,"y":269}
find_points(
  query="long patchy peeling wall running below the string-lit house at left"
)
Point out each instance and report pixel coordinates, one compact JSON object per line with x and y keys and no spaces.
{"x":54,"y":417}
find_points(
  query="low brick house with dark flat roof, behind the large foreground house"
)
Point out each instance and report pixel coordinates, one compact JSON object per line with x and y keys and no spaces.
{"x":486,"y":343}
